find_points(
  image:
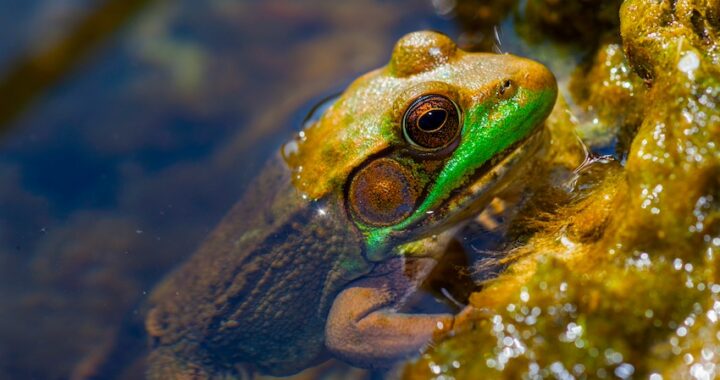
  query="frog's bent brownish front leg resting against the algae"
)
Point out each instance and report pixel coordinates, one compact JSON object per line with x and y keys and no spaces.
{"x":364,"y":327}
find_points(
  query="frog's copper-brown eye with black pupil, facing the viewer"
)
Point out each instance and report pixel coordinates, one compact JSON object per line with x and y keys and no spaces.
{"x":431,"y":122}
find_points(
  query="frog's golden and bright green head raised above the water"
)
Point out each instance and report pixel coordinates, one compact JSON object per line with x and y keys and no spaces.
{"x":414,"y":147}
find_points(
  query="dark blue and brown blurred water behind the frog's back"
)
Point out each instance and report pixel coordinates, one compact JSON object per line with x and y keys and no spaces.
{"x":129,"y":127}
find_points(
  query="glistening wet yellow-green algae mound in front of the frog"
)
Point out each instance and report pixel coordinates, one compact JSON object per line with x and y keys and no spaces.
{"x":622,"y":280}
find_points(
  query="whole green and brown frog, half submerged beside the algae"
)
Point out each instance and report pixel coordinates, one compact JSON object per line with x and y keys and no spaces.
{"x":337,"y":230}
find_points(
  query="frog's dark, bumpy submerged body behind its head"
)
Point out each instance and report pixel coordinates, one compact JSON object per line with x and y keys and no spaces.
{"x":257,"y":292}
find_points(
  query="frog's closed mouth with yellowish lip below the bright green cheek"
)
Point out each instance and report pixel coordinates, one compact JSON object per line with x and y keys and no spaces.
{"x":487,"y":180}
